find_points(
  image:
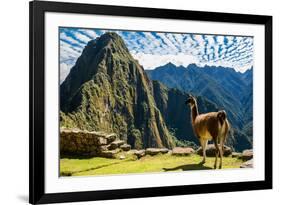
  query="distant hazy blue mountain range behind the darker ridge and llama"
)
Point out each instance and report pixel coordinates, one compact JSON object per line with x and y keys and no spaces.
{"x":224,"y":87}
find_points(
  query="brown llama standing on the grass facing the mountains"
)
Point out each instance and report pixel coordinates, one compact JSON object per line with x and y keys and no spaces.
{"x":209,"y":126}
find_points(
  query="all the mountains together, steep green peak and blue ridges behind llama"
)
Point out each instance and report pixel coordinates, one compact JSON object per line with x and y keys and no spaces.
{"x":108,"y":90}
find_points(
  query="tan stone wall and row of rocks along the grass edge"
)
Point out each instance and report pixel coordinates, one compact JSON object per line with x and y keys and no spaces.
{"x":82,"y":143}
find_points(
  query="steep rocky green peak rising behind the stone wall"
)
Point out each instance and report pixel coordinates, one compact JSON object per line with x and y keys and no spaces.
{"x":107,"y":90}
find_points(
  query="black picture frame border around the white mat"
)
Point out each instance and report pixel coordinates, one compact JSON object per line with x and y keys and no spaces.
{"x":37,"y":10}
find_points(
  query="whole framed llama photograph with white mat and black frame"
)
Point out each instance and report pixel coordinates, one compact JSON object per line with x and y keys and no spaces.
{"x":141,"y":102}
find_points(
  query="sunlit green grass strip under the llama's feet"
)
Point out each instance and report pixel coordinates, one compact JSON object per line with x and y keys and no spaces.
{"x":159,"y":163}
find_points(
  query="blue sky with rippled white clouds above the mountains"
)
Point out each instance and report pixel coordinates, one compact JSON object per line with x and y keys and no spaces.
{"x":153,"y":49}
